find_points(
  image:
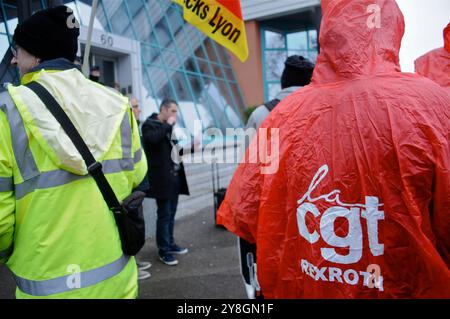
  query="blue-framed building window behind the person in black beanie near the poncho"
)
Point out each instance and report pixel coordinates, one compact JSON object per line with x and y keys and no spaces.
{"x":277,"y":45}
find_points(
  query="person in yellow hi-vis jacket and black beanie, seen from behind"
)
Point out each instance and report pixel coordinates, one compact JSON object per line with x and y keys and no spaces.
{"x":57,"y":235}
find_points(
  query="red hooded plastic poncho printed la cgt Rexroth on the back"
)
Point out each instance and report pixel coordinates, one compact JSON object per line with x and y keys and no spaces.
{"x":363,"y":179}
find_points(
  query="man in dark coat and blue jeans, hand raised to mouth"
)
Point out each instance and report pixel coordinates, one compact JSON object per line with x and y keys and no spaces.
{"x":167,"y":178}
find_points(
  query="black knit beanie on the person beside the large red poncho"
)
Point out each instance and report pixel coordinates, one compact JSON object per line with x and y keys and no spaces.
{"x":297,"y":72}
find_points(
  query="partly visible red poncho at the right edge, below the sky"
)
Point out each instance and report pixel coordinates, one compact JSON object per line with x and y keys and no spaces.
{"x":435,"y":65}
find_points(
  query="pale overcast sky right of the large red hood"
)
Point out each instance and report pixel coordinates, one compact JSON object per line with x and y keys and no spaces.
{"x":425,"y":21}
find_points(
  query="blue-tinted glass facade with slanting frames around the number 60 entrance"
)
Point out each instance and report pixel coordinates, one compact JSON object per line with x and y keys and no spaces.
{"x":177,"y":60}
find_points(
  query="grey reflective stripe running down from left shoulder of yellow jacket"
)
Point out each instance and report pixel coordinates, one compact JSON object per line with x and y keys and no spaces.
{"x":24,"y":158}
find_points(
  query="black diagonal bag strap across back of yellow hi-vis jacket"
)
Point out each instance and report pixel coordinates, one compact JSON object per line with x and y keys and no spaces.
{"x":94,"y":167}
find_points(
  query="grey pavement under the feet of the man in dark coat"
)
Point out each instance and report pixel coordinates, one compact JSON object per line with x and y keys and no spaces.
{"x":209,"y":270}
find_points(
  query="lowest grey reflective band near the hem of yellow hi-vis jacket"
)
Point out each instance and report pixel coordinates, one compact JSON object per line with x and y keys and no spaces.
{"x":65,"y":283}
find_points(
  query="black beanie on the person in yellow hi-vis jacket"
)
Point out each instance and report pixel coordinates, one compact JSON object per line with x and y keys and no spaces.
{"x":49,"y":34}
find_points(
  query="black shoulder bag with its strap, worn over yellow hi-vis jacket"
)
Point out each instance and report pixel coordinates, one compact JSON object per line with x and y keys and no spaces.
{"x":129,"y":215}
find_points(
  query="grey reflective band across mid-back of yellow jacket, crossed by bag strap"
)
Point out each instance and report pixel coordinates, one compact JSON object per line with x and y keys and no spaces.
{"x":61,"y":177}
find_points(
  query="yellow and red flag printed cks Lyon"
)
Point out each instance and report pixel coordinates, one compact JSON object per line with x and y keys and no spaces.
{"x":221,"y":20}
